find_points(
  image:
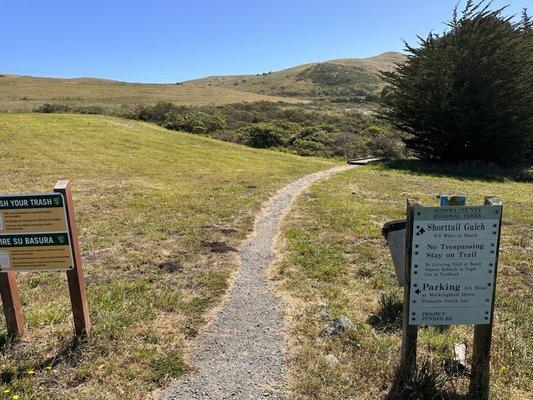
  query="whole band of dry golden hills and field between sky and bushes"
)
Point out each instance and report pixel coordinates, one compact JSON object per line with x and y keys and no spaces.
{"x":333,"y":79}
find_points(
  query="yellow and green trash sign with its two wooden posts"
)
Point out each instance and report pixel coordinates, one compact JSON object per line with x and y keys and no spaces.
{"x":38,"y":233}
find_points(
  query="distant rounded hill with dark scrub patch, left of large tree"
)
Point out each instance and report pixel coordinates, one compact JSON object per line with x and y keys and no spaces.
{"x":342,"y":77}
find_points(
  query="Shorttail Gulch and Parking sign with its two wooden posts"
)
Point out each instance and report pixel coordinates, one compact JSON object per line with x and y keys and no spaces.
{"x":450,"y":278}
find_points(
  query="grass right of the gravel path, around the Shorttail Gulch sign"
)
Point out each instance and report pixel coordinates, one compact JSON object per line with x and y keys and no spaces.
{"x":337,"y":263}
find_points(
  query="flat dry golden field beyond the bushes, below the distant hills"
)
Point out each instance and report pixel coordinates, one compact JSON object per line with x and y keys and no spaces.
{"x":23,"y":93}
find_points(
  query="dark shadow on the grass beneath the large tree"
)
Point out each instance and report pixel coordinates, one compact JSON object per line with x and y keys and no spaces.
{"x":464,"y":170}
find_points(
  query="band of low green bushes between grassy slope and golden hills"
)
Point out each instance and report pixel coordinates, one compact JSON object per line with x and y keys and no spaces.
{"x":308,"y":130}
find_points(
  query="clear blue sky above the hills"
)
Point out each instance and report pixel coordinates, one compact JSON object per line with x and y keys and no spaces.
{"x":169,"y":41}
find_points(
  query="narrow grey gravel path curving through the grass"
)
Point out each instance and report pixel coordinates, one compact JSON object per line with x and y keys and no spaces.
{"x":240,"y":355}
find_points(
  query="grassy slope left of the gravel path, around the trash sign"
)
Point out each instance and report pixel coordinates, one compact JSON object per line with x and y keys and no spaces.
{"x":160,"y":214}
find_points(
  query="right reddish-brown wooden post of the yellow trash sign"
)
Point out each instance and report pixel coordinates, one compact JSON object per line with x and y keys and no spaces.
{"x":76,"y":280}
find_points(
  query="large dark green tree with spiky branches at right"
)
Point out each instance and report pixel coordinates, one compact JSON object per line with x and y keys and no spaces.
{"x":467,"y":94}
